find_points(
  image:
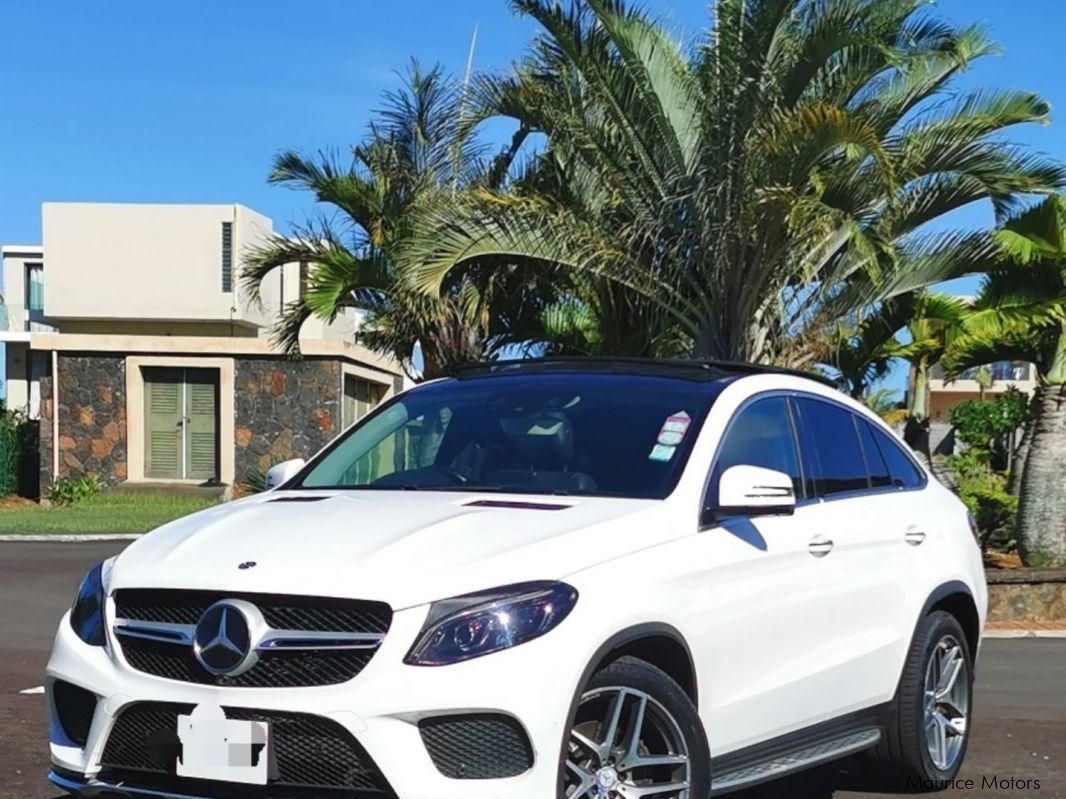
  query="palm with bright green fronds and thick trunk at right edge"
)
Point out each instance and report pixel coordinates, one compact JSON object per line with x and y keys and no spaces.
{"x":1021,"y":315}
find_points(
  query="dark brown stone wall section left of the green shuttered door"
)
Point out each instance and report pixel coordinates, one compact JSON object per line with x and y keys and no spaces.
{"x":92,"y":419}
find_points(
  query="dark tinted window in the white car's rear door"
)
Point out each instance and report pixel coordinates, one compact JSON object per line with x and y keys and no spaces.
{"x":831,"y":446}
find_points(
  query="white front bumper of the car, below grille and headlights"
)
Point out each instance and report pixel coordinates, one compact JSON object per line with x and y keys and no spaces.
{"x":381,"y":709}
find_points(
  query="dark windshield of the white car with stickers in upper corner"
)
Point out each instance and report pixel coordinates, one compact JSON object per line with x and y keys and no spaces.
{"x":592,"y":435}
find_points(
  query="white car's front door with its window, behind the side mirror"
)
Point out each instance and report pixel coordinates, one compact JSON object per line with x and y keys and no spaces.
{"x":770,"y":602}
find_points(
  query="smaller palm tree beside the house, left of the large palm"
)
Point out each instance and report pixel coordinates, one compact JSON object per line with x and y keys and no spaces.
{"x":416,"y":150}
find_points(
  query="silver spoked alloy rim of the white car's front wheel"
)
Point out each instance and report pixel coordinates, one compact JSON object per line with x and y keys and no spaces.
{"x":626,"y":745}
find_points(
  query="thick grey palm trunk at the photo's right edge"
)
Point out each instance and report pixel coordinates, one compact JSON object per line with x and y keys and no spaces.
{"x":1042,"y":502}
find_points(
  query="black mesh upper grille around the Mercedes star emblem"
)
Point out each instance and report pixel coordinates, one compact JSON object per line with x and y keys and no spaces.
{"x":276,"y":670}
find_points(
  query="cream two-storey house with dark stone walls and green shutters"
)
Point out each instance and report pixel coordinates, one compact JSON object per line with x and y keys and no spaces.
{"x":127,"y":335}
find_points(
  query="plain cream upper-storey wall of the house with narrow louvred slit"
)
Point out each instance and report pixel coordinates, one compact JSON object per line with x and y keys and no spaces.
{"x":138,"y":262}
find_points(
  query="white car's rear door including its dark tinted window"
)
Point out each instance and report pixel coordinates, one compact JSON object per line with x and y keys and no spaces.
{"x":861,"y":523}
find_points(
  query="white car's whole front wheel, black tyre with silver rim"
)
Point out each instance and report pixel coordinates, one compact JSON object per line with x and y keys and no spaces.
{"x":670,"y":751}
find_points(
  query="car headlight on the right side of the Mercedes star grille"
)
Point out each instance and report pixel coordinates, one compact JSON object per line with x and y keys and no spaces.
{"x":480,"y":624}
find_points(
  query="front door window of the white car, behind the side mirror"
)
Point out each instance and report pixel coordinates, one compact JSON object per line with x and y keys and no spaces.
{"x":762,"y":435}
